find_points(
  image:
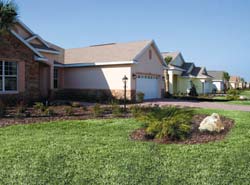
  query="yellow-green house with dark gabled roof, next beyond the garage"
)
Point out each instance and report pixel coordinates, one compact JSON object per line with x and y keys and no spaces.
{"x":182,"y":74}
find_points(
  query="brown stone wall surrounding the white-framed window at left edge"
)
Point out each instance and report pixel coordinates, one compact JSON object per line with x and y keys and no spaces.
{"x":28,"y":70}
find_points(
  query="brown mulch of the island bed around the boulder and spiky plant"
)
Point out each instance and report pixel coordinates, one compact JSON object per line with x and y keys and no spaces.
{"x":196,"y":136}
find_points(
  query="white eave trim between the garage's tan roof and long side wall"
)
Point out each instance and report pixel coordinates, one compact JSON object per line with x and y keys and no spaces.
{"x":95,"y":64}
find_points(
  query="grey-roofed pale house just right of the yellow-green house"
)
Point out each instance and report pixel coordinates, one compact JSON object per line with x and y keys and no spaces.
{"x":218,"y":81}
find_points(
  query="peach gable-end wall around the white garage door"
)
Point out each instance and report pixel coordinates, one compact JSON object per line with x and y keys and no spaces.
{"x":149,"y":66}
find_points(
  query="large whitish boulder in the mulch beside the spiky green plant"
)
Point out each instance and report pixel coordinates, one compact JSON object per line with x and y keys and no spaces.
{"x":212,"y":123}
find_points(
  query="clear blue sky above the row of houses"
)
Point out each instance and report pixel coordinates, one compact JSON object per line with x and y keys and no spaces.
{"x":210,"y":33}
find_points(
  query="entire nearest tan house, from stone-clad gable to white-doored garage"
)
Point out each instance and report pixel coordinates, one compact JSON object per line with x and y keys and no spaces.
{"x":33,"y":68}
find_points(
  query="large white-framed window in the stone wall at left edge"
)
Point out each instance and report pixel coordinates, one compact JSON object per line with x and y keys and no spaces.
{"x":8,"y":76}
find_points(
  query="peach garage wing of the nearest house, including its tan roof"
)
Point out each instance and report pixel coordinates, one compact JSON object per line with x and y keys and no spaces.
{"x":99,"y":69}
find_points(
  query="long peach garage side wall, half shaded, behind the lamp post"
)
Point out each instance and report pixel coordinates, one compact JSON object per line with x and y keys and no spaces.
{"x":107,"y":79}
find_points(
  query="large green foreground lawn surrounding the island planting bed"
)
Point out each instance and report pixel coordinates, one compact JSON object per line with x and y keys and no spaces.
{"x":100,"y":152}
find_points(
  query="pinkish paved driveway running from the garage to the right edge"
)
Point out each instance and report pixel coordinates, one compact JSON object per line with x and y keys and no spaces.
{"x":198,"y":104}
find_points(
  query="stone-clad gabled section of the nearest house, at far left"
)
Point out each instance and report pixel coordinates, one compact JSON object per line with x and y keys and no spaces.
{"x":26,"y":63}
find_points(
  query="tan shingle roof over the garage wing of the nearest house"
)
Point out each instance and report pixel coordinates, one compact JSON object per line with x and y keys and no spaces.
{"x":106,"y":52}
